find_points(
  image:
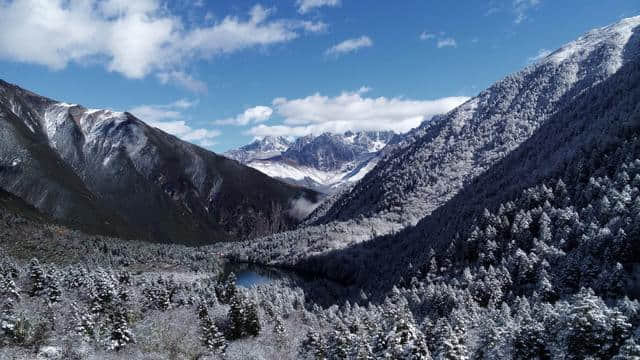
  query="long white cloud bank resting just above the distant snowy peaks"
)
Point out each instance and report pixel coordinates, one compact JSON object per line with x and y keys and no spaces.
{"x":353,"y":111}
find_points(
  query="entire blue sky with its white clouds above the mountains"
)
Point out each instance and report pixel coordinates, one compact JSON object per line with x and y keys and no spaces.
{"x":219,"y":72}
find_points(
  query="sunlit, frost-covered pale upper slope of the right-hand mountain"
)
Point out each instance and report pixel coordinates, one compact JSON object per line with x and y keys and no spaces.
{"x":451,"y":150}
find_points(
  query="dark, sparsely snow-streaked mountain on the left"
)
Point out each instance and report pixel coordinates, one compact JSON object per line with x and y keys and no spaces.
{"x":110,"y":172}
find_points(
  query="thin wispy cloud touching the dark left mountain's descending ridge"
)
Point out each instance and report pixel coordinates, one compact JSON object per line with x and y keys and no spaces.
{"x":170,"y":118}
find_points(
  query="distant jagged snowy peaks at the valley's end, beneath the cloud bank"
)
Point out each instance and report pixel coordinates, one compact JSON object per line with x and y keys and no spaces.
{"x":324,"y":162}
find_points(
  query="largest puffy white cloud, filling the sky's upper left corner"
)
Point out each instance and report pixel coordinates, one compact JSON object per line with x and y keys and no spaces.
{"x":133,"y":38}
